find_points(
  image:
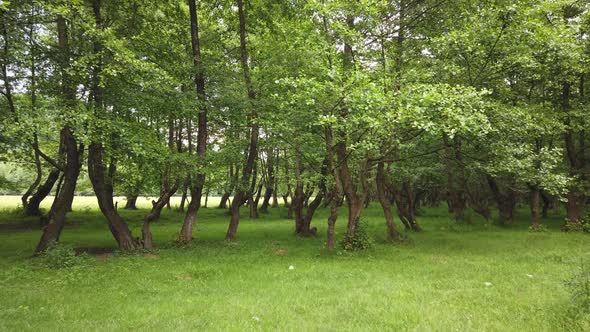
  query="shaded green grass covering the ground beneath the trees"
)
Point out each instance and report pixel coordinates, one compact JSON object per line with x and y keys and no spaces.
{"x":434,"y":282}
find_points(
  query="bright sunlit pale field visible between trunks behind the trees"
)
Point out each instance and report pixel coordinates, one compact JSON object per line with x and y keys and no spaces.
{"x":85,"y":202}
